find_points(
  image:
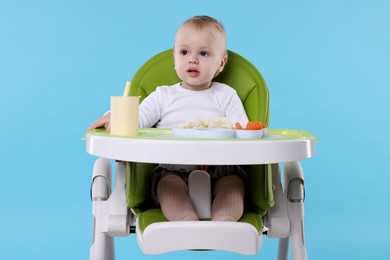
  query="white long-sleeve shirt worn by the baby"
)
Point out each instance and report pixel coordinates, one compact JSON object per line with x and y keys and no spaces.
{"x":172,"y":106}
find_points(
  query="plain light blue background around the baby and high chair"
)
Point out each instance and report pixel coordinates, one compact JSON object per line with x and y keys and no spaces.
{"x":327,"y":65}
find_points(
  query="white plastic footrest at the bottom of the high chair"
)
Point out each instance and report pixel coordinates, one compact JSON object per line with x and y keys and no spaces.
{"x":165,"y":237}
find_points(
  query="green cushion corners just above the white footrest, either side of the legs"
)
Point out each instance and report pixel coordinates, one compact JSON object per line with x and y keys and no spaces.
{"x":155,"y":215}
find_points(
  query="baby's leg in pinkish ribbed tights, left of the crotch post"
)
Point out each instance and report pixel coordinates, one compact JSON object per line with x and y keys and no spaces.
{"x":172,"y":193}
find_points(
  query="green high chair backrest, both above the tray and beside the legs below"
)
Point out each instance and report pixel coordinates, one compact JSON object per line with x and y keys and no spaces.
{"x":251,"y":88}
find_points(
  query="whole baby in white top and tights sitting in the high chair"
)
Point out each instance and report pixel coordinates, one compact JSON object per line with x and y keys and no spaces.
{"x":200,"y":54}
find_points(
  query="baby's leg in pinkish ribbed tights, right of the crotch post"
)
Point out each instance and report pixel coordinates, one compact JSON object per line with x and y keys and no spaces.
{"x":228,"y":203}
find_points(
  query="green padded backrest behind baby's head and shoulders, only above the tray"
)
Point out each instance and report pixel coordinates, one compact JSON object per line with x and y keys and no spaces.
{"x":238,"y":73}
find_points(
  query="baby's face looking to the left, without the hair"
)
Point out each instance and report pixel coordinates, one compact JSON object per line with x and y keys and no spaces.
{"x":199,"y":56}
